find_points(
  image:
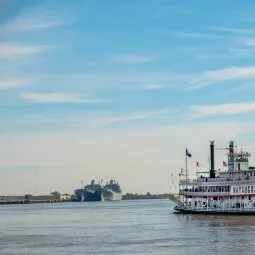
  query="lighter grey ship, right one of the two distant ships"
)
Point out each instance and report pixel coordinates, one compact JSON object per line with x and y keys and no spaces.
{"x":112,"y":191}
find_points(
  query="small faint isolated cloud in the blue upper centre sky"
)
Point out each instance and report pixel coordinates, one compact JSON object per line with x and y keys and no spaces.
{"x":130,"y":59}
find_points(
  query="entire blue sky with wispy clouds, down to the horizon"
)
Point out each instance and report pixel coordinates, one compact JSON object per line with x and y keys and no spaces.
{"x":117,"y":89}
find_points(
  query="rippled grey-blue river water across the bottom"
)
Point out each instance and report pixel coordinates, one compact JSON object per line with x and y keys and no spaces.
{"x":121,"y":227}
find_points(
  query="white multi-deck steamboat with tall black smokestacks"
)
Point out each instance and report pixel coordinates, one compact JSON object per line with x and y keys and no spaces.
{"x":219,"y":192}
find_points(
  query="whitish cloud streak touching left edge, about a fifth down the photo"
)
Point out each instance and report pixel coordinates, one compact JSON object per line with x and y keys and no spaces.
{"x":15,"y":50}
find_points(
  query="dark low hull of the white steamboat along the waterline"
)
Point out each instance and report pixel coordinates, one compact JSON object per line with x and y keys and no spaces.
{"x":230,"y":211}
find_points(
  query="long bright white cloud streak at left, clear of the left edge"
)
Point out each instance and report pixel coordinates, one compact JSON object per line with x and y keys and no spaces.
{"x":59,"y":98}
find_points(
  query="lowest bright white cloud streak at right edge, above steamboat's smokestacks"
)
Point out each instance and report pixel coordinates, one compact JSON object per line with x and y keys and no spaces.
{"x":198,"y":111}
